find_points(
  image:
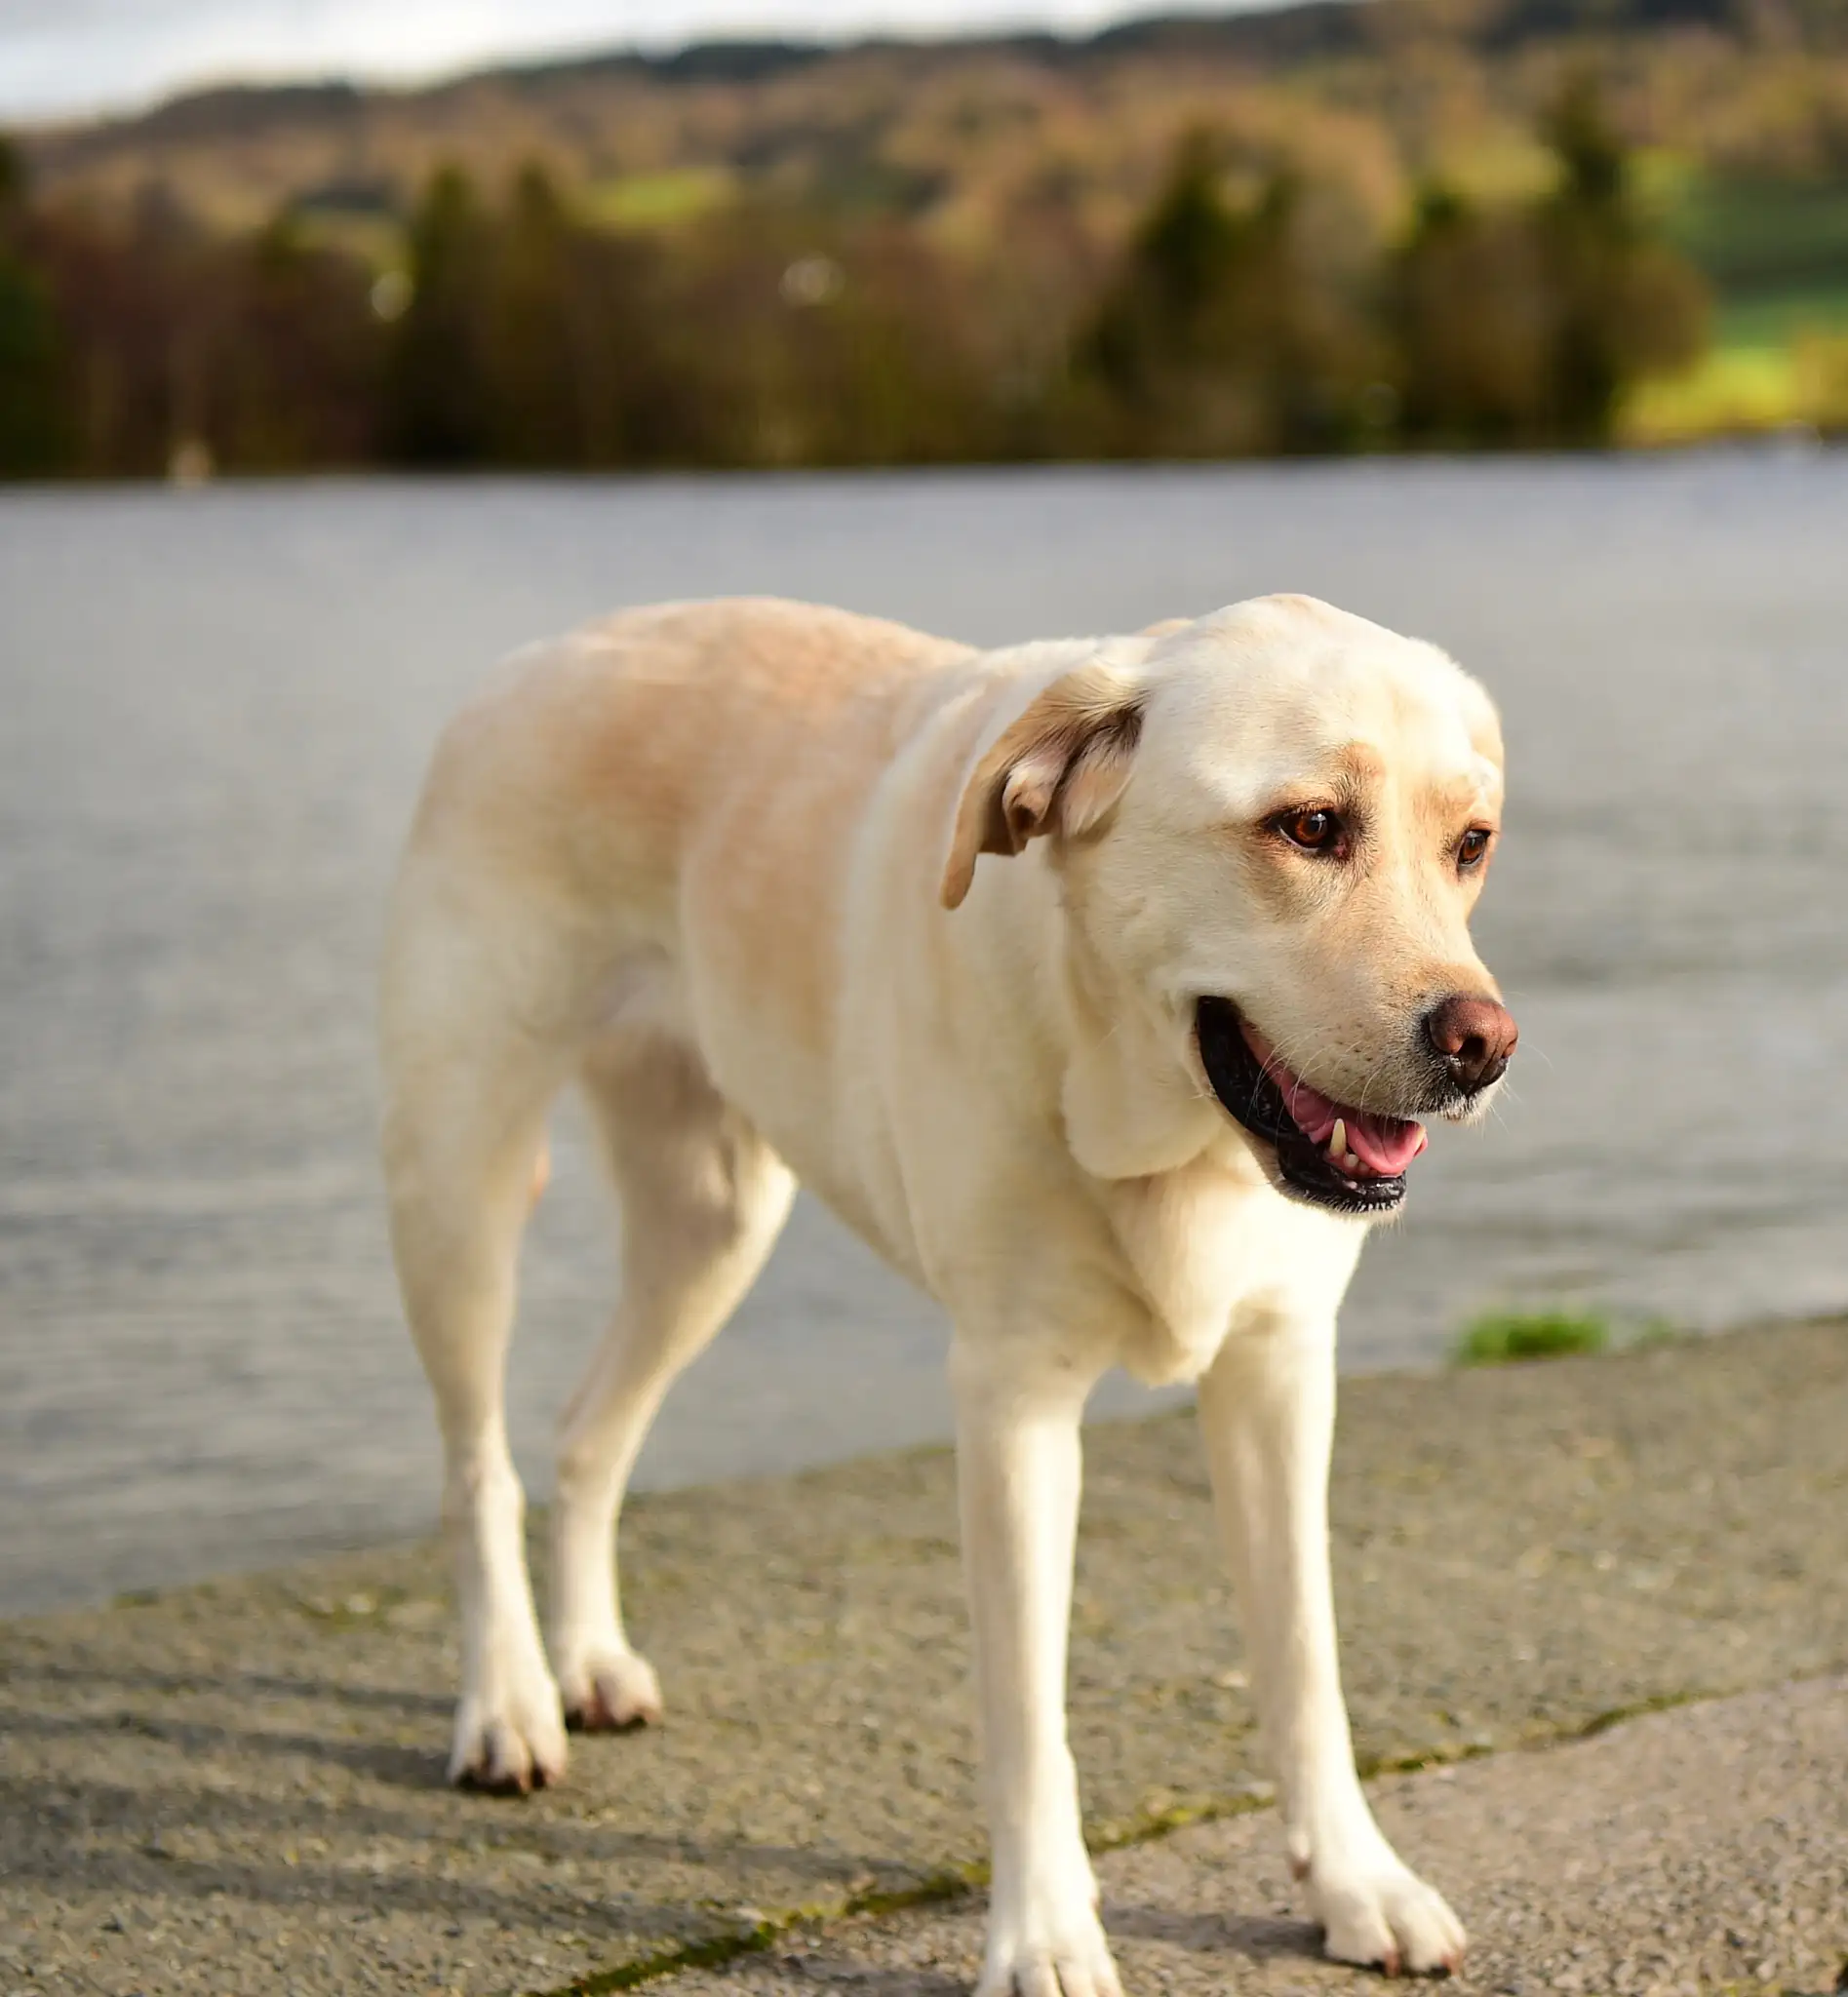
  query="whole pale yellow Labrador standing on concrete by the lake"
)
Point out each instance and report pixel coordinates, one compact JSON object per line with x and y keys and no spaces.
{"x":1096,"y":984}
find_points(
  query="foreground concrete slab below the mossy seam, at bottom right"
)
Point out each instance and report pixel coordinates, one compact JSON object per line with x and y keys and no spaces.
{"x":1280,"y":1956}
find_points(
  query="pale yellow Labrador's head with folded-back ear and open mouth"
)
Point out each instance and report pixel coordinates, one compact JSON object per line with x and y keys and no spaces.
{"x":1272,"y":828}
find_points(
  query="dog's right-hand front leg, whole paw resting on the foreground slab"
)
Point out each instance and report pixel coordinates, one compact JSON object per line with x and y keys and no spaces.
{"x":1268,"y":1413}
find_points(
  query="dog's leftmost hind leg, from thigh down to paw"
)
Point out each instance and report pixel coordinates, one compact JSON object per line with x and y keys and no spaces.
{"x":468,"y":1077}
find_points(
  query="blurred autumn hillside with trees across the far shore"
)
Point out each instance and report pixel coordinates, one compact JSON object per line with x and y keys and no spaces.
{"x":958,"y":245}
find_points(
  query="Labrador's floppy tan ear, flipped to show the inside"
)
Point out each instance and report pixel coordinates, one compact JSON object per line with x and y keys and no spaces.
{"x":1058,"y":770}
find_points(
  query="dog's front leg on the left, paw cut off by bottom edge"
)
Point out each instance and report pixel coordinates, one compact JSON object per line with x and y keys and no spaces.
{"x":1018,"y":1479}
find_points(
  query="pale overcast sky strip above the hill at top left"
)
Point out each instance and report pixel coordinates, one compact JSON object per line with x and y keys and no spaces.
{"x":91,"y":55}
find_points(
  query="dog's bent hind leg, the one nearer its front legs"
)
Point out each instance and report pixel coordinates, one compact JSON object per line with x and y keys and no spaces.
{"x":702,"y":1205}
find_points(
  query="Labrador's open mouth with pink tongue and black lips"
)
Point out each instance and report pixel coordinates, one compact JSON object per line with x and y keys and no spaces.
{"x":1328,"y":1153}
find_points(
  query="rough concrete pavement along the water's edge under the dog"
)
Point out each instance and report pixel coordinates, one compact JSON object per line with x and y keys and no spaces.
{"x":239,"y":1786}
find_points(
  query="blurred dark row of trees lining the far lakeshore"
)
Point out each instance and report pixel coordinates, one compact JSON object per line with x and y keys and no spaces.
{"x":1248,"y":313}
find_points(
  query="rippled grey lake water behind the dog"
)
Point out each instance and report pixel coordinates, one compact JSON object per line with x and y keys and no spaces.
{"x":213,"y":718}
